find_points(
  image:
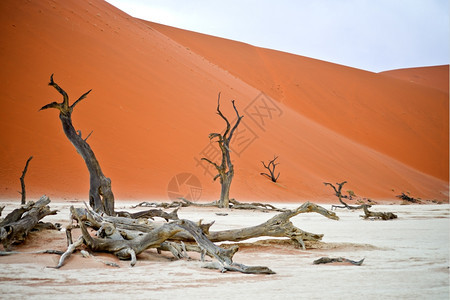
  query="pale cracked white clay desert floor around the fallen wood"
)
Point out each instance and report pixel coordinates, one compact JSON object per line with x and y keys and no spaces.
{"x":407,"y":258}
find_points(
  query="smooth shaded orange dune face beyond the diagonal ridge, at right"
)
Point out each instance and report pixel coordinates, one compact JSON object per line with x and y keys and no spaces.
{"x":371,"y":109}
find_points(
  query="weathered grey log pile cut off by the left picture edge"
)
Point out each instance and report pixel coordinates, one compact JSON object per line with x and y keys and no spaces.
{"x":16,"y":225}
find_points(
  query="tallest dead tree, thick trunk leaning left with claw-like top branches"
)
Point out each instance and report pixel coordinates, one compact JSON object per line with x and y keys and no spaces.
{"x":101,"y":197}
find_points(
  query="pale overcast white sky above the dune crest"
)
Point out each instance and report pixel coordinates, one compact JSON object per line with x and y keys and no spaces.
{"x":373,"y":35}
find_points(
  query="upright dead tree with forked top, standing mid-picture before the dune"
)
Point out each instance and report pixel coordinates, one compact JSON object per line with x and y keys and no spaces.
{"x":225,"y":169}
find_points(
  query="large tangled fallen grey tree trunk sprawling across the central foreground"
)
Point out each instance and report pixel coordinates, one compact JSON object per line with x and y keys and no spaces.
{"x":126,"y":237}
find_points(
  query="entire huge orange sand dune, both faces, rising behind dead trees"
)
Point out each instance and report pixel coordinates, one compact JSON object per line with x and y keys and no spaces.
{"x":153,"y":105}
